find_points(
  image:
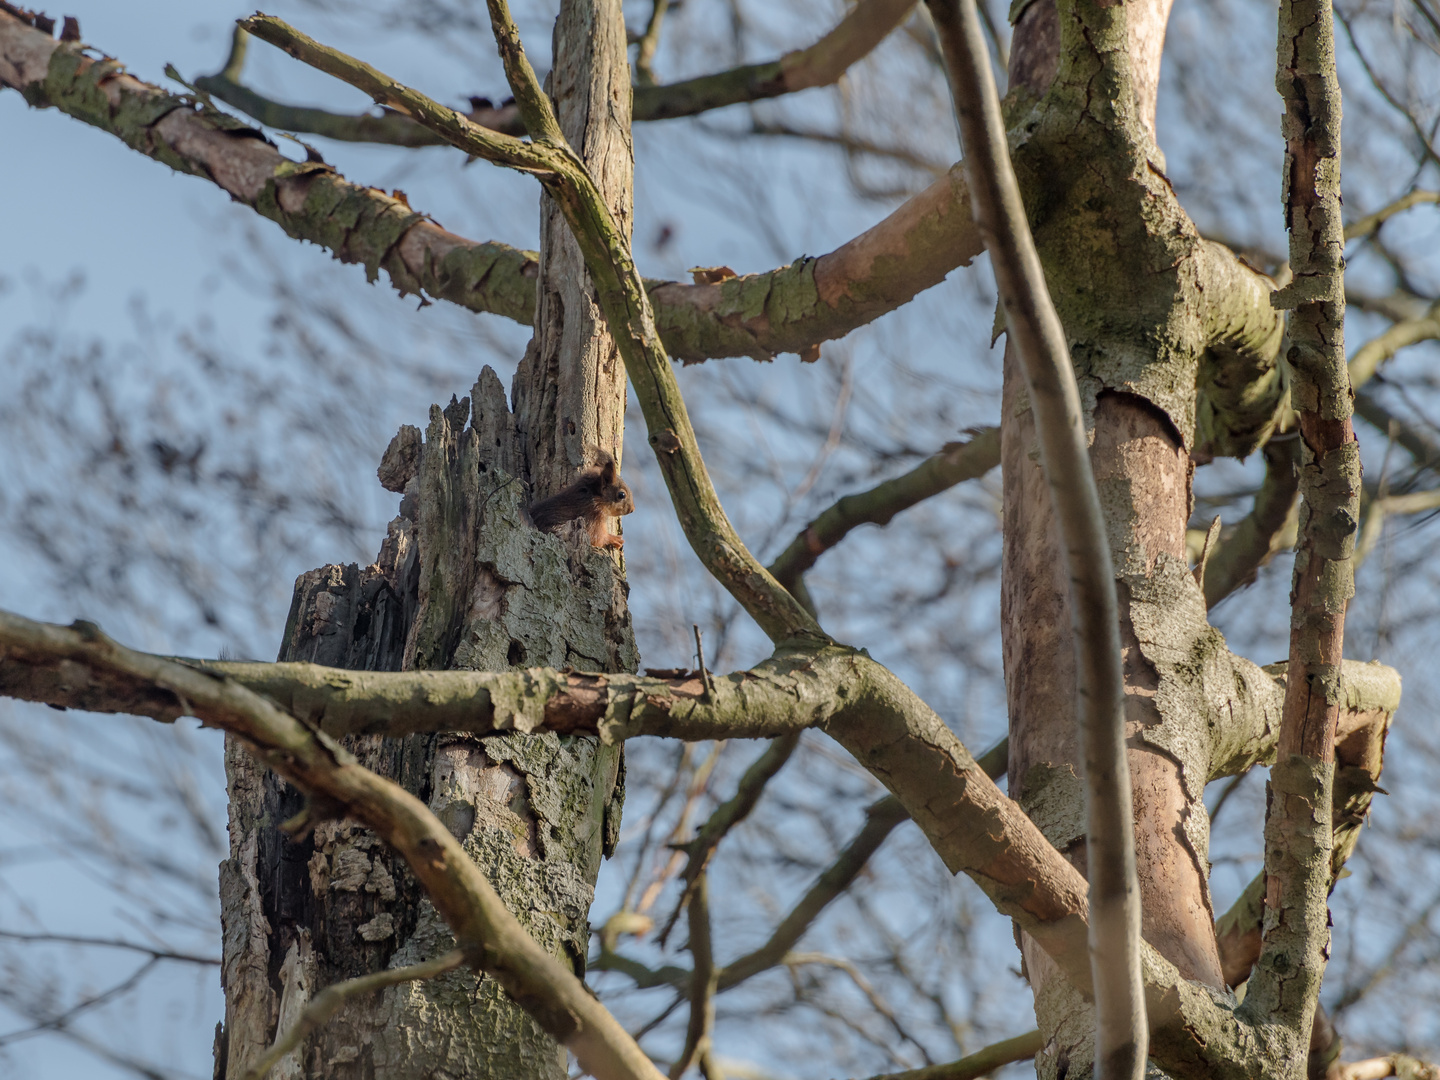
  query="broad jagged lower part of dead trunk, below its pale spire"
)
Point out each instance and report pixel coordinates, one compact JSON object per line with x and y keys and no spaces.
{"x":476,"y":587}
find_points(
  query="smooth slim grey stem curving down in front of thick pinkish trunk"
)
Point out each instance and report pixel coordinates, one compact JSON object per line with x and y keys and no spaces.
{"x":1040,"y":341}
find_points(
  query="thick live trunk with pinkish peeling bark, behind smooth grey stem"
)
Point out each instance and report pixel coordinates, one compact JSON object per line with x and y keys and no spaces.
{"x":1130,"y":277}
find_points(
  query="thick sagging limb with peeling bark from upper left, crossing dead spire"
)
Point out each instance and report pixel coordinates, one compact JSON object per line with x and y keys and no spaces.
{"x":758,"y":315}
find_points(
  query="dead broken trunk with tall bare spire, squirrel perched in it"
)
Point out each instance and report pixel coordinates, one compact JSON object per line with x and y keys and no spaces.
{"x":463,"y":582}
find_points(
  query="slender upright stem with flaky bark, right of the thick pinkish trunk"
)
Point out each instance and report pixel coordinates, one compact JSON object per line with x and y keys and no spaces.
{"x":1287,"y":980}
